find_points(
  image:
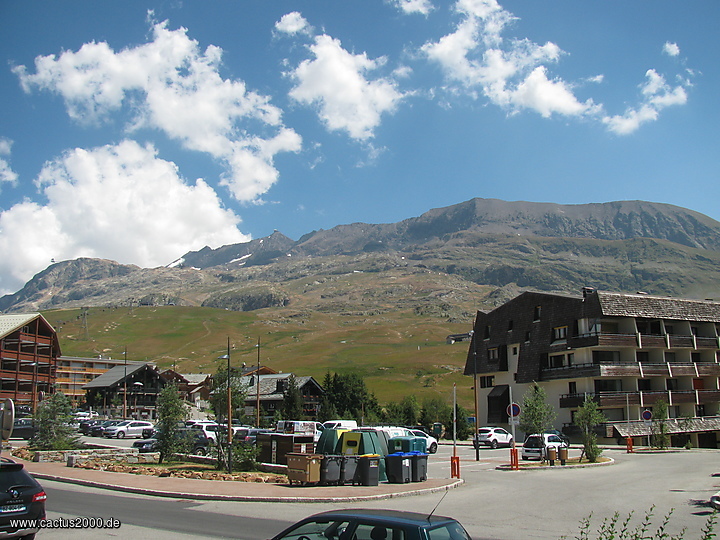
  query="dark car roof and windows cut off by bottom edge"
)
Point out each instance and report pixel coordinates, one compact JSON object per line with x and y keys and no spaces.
{"x":375,"y":524}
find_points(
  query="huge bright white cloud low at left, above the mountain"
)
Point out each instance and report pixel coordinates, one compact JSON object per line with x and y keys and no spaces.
{"x":117,"y":202}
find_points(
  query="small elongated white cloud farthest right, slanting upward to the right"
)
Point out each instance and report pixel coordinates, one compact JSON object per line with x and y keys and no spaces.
{"x":657,"y":95}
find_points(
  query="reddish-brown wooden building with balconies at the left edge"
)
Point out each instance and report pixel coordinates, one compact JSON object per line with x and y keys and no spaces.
{"x":29,"y":349}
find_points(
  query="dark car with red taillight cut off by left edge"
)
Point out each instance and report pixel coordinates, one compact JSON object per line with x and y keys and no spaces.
{"x":21,"y":498}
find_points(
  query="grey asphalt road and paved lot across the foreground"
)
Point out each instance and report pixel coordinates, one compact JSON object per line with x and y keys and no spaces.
{"x":538,"y":504}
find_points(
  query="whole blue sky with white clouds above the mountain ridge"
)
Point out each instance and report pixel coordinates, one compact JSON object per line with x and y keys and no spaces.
{"x":137,"y":131}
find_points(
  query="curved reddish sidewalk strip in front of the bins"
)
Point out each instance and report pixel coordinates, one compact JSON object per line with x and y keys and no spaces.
{"x":186,"y":488}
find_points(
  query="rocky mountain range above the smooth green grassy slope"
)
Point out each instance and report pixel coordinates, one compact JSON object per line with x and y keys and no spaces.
{"x":472,"y":255}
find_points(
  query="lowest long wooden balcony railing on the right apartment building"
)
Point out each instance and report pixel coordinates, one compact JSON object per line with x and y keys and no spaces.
{"x":642,"y":398}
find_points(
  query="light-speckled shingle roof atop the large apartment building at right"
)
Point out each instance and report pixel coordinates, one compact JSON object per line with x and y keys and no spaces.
{"x":658,"y":307}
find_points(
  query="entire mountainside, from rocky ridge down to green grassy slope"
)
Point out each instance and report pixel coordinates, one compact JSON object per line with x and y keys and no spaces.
{"x":376,"y":299}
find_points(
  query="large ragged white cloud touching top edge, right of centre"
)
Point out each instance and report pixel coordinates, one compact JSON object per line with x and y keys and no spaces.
{"x":512,"y":74}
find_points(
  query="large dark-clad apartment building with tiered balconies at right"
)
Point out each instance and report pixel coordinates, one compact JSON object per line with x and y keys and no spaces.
{"x":625,"y":351}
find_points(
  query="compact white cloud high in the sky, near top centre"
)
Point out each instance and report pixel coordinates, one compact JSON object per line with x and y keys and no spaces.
{"x":335,"y":80}
